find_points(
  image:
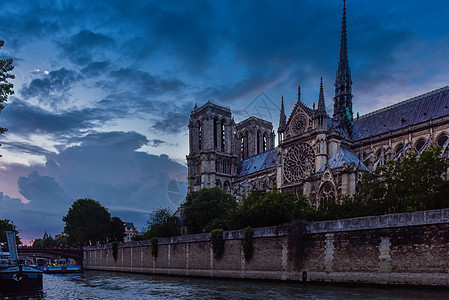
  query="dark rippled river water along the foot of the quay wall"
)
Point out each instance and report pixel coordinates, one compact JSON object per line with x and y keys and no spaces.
{"x":111,"y":285}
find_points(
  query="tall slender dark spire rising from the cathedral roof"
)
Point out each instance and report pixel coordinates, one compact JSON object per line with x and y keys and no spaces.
{"x":342,"y":118}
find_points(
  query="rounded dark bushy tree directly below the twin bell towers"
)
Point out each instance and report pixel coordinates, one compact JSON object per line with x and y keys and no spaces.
{"x":208,"y":209}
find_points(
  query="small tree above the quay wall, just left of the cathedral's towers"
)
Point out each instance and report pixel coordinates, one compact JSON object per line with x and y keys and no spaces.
{"x":162,"y":223}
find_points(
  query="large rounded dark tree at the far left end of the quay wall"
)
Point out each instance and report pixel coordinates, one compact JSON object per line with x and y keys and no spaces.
{"x":88,"y":222}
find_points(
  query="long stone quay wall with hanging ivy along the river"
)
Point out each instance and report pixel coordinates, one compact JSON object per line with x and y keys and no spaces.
{"x":403,"y":249}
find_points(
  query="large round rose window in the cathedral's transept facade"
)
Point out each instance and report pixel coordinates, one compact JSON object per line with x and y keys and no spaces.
{"x":299,"y":161}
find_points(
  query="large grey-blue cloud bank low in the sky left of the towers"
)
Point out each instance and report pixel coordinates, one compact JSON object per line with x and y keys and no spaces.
{"x":104,"y":166}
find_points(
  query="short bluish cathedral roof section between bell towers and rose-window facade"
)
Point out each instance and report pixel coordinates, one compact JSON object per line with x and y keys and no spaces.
{"x":258,"y":162}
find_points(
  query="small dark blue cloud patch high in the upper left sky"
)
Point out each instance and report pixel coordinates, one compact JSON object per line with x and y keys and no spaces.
{"x":82,"y":47}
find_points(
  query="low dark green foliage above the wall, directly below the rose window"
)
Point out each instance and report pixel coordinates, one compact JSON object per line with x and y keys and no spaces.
{"x":261,"y":209}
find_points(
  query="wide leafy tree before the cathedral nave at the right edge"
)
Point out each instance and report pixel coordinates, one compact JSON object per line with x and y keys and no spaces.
{"x":411,"y":184}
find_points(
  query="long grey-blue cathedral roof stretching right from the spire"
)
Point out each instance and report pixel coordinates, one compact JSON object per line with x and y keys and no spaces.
{"x":416,"y":110}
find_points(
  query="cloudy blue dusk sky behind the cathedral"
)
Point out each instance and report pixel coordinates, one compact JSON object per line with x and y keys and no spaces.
{"x":104,"y":89}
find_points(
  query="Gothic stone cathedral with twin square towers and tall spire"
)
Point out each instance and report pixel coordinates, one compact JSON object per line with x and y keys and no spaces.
{"x":318,"y":155}
